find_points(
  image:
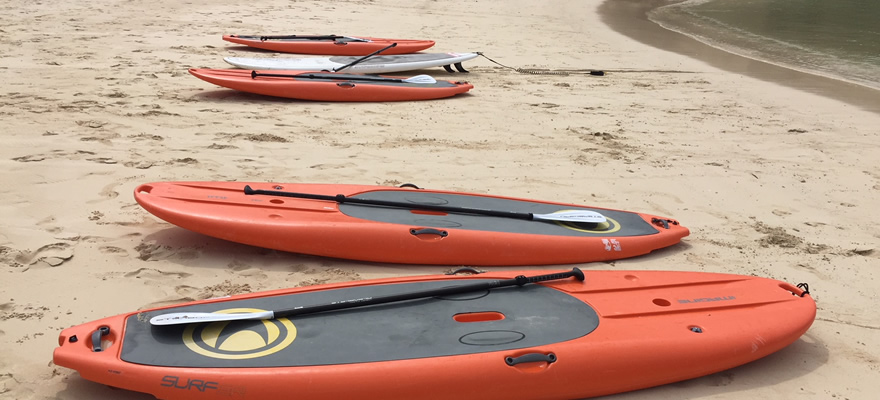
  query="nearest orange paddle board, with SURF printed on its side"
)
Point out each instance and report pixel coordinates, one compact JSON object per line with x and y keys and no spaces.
{"x":646,"y":328}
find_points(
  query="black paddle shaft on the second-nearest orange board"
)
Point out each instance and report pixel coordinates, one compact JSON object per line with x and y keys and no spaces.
{"x":339,"y":198}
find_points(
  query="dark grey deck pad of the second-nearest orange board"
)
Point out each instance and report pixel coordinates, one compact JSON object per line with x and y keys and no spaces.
{"x":629,"y":224}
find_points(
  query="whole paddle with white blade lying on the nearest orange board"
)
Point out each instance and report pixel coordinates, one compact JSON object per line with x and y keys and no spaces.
{"x":197,"y":317}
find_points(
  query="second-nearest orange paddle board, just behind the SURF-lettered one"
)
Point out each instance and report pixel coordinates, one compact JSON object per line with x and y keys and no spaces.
{"x":326,"y":228}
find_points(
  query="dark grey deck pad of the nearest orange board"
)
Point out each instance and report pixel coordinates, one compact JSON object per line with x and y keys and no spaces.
{"x":534,"y":315}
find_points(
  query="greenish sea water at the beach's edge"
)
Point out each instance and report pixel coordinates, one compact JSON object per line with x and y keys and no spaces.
{"x":835,"y":38}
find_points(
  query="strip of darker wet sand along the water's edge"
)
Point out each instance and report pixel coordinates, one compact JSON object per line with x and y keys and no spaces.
{"x":630,"y":18}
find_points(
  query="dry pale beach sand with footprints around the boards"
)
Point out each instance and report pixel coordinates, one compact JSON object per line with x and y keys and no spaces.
{"x":772,"y":180}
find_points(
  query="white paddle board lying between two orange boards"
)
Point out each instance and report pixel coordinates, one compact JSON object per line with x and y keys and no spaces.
{"x":372,"y":65}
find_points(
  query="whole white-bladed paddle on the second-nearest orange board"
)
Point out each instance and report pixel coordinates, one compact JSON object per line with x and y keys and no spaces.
{"x":567,"y":216}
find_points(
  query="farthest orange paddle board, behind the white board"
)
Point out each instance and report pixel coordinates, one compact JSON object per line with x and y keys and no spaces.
{"x":331,"y":47}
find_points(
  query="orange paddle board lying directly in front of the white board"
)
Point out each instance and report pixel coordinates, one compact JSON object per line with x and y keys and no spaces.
{"x":341,"y":89}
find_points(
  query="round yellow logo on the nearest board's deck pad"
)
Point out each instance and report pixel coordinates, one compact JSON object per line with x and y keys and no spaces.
{"x":239,"y":340}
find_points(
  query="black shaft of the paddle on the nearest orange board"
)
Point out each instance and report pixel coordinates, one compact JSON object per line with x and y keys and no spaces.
{"x":444,"y":291}
